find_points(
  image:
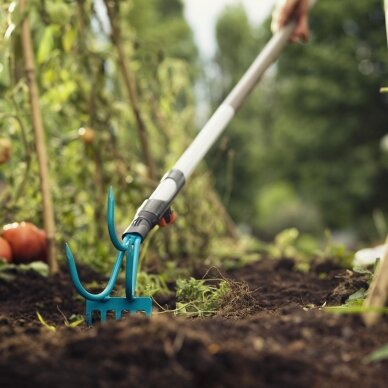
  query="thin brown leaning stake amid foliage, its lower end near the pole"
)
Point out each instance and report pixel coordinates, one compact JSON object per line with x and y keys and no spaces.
{"x":131,"y":88}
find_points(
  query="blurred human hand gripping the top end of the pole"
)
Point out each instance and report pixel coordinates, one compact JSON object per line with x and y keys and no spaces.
{"x":286,"y":10}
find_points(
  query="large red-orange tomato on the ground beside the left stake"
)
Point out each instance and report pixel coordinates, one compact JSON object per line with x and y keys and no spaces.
{"x":28,"y":243}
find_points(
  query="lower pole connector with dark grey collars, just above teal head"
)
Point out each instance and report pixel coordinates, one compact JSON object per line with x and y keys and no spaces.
{"x":153,"y":209}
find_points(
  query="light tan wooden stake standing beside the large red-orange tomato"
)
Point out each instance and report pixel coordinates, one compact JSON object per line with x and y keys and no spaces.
{"x":37,"y":123}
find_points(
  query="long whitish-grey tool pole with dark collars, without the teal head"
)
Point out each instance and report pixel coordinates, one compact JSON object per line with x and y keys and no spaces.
{"x":153,"y":209}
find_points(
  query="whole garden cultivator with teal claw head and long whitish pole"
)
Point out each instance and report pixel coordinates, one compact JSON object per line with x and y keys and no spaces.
{"x":154,"y":209}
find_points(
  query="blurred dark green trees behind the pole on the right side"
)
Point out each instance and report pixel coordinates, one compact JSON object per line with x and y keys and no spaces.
{"x":304,"y":150}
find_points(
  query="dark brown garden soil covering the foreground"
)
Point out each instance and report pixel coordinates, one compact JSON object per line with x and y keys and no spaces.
{"x":280,"y":337}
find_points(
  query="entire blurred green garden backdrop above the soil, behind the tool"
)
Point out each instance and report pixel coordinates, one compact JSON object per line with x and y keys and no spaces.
{"x":309,"y":148}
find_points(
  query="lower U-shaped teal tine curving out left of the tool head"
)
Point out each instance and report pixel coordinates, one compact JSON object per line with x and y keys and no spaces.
{"x":77,"y":284}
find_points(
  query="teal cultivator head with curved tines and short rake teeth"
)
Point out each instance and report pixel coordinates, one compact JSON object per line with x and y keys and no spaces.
{"x":103,"y":303}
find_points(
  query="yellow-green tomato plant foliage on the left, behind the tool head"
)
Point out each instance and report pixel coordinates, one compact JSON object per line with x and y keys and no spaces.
{"x":81,"y":86}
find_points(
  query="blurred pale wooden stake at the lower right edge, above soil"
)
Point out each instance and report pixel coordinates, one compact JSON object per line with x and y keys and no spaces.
{"x":378,"y":290}
